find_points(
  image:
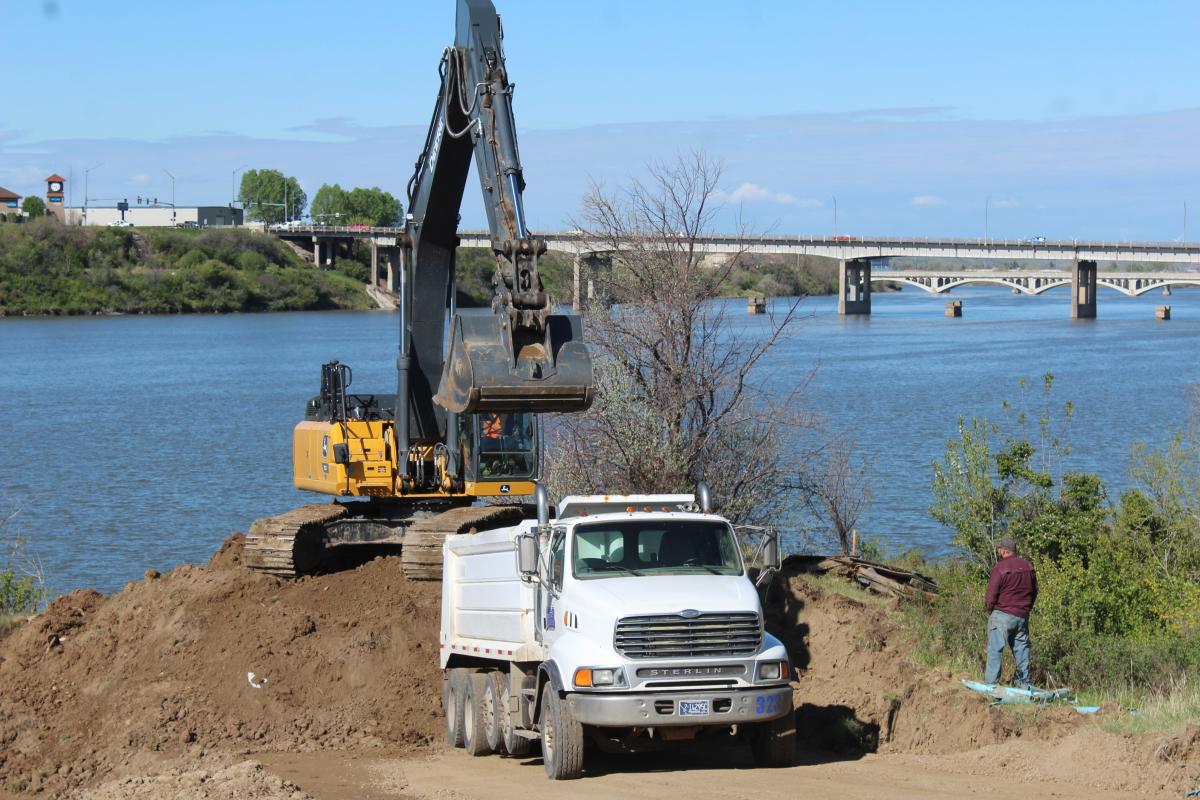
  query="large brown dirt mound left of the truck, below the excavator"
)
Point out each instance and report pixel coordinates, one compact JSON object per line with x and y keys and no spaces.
{"x":346,"y":660}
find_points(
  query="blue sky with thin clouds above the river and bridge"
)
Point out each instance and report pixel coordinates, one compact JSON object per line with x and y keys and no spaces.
{"x":1066,"y":119}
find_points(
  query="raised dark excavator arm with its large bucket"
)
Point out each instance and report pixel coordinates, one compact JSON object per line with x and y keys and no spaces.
{"x":521,"y":357}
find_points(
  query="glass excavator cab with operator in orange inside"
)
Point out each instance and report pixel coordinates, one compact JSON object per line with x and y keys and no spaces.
{"x":502,"y":455}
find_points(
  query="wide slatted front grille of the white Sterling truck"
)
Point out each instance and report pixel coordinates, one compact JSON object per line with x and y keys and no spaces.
{"x":671,"y":636}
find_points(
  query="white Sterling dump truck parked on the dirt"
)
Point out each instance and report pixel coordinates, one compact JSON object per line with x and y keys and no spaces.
{"x":626,"y":621}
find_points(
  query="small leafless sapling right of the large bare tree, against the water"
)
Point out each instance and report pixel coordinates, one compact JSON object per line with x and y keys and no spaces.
{"x":836,"y":490}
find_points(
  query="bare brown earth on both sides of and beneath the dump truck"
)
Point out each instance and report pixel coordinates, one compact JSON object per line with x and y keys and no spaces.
{"x":148,"y":694}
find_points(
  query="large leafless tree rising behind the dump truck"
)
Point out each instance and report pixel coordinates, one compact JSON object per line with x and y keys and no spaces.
{"x":680,"y":388}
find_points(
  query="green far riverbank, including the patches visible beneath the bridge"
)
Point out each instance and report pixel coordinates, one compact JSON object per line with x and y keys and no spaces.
{"x":52,"y":270}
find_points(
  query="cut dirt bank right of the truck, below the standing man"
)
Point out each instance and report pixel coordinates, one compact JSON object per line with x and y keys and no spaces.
{"x":860,"y":691}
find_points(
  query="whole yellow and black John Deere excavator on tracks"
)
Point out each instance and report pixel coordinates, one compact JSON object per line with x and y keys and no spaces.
{"x":463,"y":425}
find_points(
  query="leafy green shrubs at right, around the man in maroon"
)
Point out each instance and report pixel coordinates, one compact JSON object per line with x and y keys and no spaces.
{"x":1119,"y":605}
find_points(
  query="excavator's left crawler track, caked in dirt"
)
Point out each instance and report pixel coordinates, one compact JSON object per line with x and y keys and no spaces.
{"x":292,"y":544}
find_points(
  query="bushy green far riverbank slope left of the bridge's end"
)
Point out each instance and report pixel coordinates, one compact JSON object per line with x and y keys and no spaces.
{"x":49,"y":269}
